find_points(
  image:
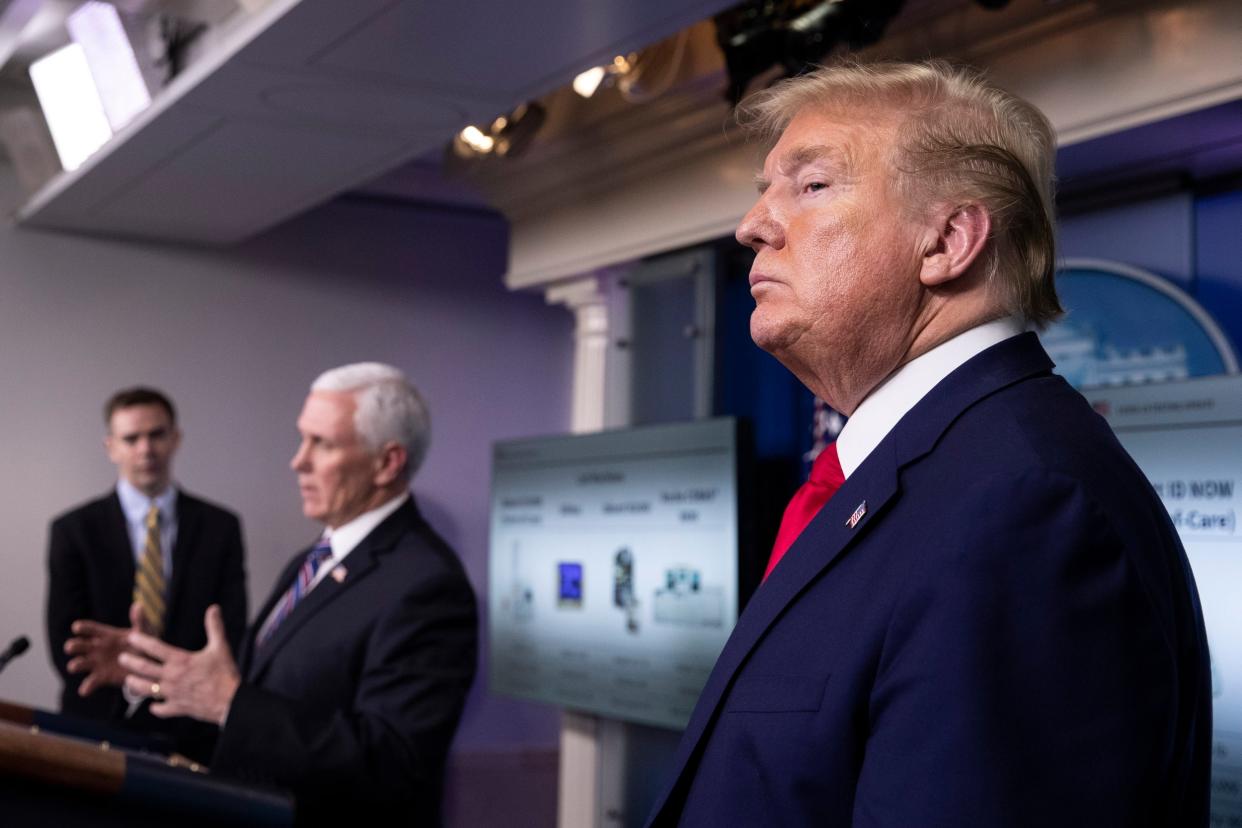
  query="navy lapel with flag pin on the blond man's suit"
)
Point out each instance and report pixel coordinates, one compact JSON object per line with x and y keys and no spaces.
{"x":834,"y":531}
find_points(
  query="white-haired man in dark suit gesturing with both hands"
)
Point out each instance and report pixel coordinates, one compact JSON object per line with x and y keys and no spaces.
{"x":353,"y":677}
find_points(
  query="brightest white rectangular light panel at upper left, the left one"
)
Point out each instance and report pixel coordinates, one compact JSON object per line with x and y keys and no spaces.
{"x":71,"y":105}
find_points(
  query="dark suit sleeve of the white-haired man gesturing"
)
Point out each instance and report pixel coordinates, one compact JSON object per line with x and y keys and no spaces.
{"x":391,"y":742}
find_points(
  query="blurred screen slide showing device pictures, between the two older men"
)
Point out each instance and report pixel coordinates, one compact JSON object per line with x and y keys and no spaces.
{"x":614,"y":568}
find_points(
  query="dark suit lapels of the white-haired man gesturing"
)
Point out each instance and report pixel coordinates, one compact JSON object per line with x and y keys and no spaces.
{"x":358,"y":565}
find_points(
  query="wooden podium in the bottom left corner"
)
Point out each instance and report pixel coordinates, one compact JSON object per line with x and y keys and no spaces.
{"x":49,"y":776}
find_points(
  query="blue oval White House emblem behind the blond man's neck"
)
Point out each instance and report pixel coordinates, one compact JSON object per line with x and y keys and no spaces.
{"x":1128,"y":327}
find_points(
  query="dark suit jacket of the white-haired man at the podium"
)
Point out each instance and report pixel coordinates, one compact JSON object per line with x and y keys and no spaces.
{"x":355,"y":701}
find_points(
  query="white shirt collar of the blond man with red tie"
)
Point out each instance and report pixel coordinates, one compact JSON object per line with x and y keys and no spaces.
{"x":892,"y":399}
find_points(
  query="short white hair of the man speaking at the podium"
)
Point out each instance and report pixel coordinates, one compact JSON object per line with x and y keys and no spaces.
{"x":389,"y":408}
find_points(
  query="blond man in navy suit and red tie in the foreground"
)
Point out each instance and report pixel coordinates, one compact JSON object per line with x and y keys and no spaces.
{"x":990,"y":621}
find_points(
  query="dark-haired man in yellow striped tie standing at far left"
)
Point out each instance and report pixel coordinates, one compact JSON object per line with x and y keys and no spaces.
{"x":148,"y":554}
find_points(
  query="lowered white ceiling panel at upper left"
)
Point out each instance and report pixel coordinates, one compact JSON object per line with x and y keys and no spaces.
{"x":309,"y":99}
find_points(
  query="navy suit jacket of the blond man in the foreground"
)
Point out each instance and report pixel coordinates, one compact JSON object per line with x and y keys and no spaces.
{"x":1009,"y":636}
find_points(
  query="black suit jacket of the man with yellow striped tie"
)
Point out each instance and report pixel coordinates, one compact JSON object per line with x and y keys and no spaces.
{"x":91,"y":575}
